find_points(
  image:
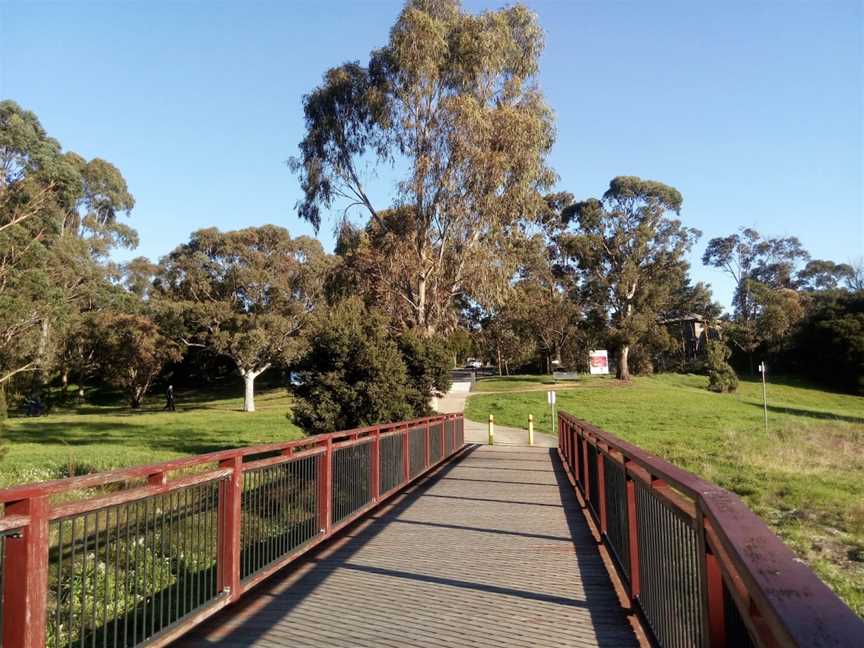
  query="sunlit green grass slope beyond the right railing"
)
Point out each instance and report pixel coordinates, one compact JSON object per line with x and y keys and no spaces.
{"x":804,"y":477}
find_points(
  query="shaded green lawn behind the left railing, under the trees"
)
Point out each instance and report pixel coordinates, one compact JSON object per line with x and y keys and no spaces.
{"x":101,"y":437}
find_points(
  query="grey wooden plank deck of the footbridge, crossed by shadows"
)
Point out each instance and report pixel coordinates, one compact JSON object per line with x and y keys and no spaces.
{"x":490,"y":551}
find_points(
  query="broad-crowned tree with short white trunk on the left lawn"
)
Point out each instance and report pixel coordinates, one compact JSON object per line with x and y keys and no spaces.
{"x":245,"y":295}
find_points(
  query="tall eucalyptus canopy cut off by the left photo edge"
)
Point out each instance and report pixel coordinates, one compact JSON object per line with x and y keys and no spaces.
{"x":58,"y":223}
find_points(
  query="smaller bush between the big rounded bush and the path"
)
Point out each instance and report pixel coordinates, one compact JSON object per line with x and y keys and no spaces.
{"x":427,"y":363}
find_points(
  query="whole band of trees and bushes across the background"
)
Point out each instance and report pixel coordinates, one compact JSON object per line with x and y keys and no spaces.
{"x":473,"y":254}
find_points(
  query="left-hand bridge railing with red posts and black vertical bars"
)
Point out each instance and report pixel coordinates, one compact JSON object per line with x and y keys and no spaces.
{"x":162,"y":547}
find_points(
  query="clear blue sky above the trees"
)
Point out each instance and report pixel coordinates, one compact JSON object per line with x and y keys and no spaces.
{"x":752,"y":110}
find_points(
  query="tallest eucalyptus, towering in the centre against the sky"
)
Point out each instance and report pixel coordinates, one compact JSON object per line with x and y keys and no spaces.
{"x":451,"y":101}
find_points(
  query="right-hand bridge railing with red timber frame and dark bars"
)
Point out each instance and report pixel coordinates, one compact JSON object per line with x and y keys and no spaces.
{"x":699,"y":566}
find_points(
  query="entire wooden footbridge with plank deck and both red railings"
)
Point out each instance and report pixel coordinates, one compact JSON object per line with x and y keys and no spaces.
{"x":404,"y":535}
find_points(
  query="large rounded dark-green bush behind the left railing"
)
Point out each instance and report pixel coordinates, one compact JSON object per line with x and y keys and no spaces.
{"x":352,"y":373}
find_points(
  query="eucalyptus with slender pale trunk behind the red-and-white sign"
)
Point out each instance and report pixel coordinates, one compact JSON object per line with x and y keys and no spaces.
{"x":629,"y":252}
